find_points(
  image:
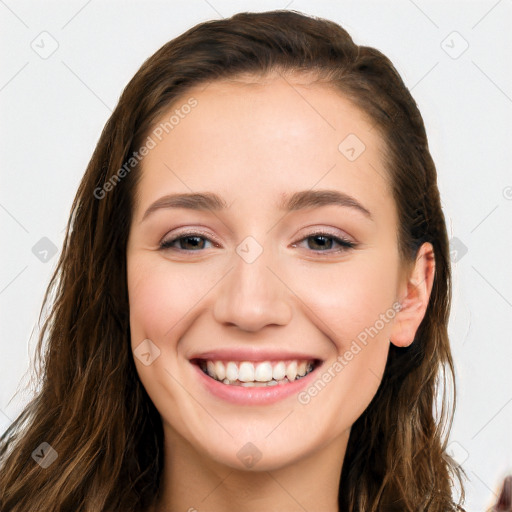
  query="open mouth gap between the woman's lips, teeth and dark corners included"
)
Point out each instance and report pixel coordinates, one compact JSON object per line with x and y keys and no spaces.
{"x":260,"y":374}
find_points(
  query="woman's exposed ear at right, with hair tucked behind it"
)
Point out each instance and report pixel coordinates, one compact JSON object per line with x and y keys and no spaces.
{"x":416,"y":294}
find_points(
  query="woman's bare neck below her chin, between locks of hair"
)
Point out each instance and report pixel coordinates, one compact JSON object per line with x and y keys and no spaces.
{"x":192,"y":482}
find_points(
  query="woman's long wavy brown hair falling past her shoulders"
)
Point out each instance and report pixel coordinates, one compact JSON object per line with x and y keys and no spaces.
{"x":92,"y":408}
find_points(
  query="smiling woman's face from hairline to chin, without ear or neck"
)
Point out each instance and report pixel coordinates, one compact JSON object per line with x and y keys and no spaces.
{"x":269,"y":274}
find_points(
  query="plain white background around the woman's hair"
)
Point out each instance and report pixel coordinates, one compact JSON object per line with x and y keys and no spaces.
{"x":53,"y":110}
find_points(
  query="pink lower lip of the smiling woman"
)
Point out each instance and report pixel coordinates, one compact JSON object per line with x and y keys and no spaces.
{"x":262,"y":395}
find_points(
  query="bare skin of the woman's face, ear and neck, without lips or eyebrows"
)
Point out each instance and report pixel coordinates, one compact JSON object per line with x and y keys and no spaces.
{"x":251,"y":141}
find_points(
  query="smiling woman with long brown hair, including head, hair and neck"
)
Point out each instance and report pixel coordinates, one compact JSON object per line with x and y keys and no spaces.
{"x":250,"y":309}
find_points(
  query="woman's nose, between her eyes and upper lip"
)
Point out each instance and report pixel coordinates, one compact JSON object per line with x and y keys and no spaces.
{"x":253,"y":294}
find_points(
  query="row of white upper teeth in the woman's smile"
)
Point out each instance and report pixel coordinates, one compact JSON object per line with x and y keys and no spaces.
{"x":265,"y":371}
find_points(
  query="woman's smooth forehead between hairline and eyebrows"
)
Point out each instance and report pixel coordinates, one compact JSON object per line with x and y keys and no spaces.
{"x":264,"y":138}
